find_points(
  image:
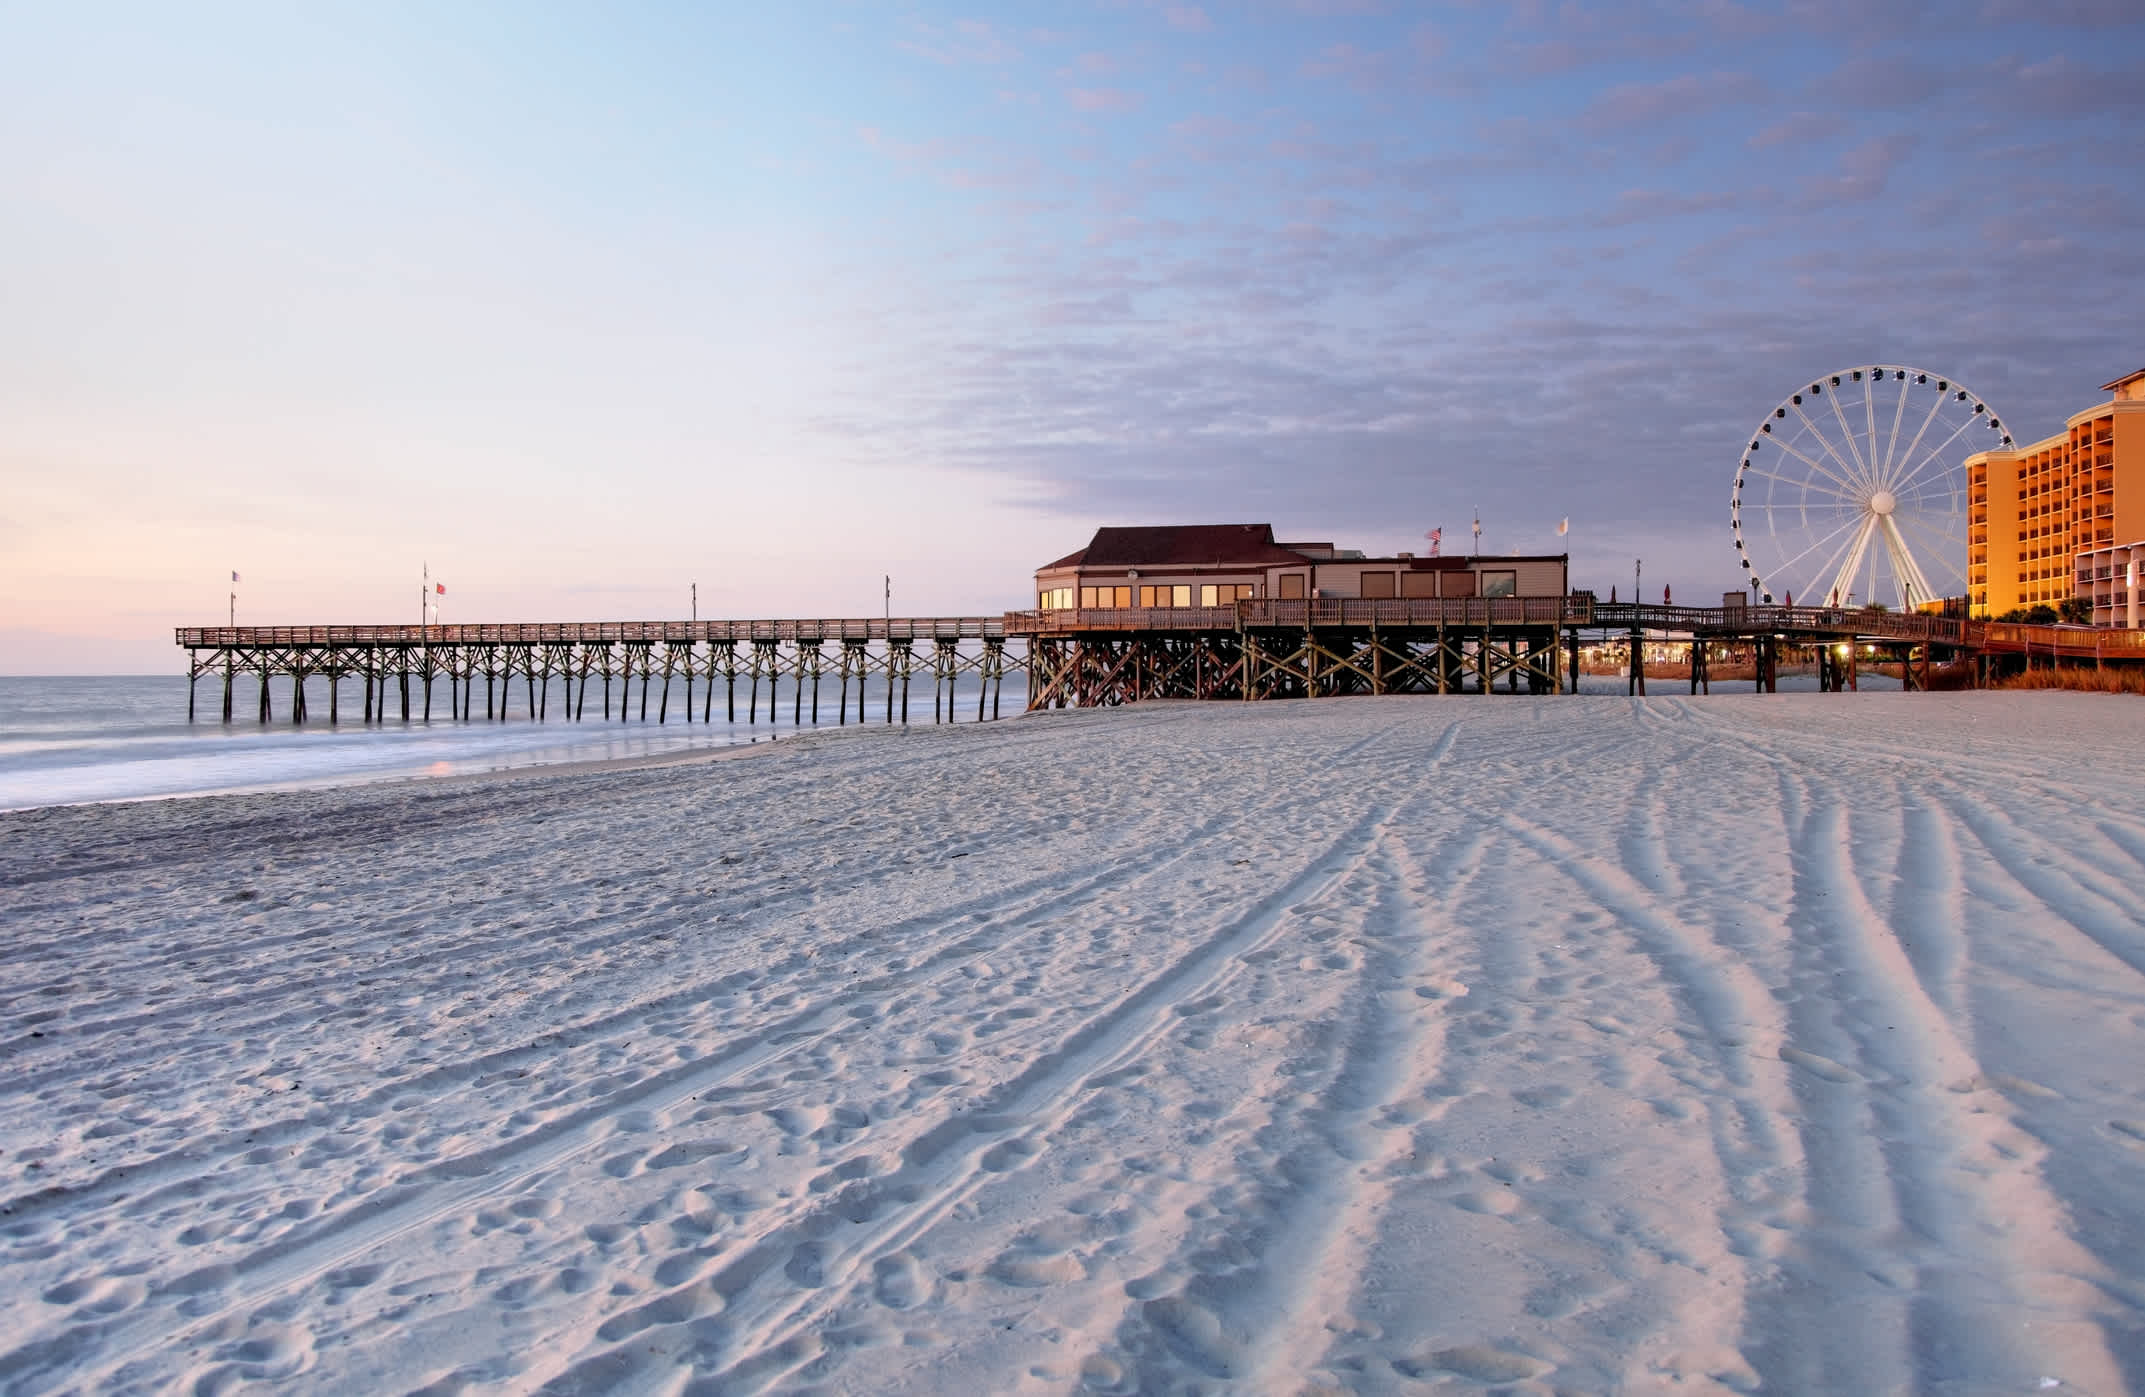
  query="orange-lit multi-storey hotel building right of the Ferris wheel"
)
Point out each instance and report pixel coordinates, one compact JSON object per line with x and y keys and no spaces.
{"x":2043,"y":518}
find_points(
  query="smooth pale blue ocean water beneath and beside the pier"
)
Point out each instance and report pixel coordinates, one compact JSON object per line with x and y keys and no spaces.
{"x":68,"y":741}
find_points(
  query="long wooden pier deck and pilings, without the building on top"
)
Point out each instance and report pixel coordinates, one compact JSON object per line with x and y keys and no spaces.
{"x":1247,"y":651}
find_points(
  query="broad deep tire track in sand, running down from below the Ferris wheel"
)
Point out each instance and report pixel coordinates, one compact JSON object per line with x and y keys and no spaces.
{"x":1899,"y":1134}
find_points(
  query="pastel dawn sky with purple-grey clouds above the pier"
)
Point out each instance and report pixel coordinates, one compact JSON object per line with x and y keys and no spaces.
{"x":589,"y":308}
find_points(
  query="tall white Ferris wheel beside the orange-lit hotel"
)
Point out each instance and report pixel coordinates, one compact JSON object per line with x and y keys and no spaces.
{"x":1852,"y":490}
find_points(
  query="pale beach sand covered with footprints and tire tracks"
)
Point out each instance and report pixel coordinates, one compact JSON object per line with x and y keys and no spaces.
{"x":1784,"y":1044}
